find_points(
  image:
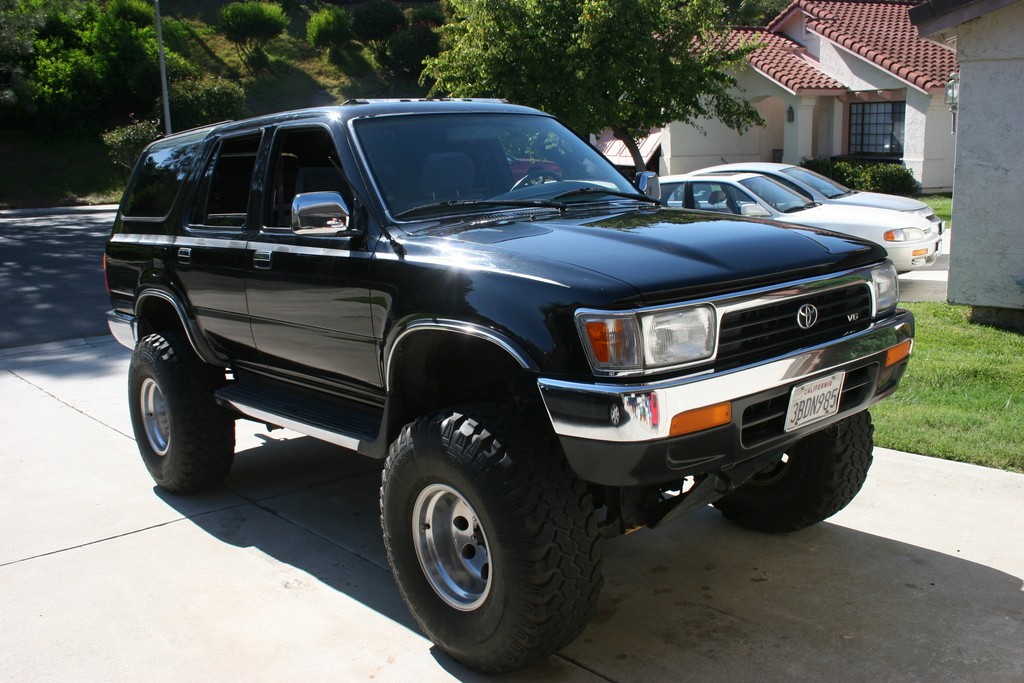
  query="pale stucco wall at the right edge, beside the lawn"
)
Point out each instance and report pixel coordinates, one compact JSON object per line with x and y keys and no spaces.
{"x":988,"y":266}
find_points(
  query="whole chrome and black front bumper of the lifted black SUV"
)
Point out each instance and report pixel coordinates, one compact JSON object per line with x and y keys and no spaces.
{"x":620,"y":435}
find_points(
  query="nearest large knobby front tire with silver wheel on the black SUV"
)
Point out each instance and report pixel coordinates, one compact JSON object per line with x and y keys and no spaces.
{"x":493,"y":540}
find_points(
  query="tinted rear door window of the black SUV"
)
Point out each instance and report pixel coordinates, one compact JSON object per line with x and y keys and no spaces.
{"x":223,"y":200}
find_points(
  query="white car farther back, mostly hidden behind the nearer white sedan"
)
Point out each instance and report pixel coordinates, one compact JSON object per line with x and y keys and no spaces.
{"x":826,"y":191}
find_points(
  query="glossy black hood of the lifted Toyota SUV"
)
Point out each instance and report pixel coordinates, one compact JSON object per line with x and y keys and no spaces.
{"x":662,"y":254}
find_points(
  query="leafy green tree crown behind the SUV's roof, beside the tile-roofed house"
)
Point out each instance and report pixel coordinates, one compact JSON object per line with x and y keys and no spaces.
{"x":625,"y":65}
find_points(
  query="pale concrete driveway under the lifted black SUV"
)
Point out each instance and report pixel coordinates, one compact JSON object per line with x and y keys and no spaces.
{"x":281,"y":574}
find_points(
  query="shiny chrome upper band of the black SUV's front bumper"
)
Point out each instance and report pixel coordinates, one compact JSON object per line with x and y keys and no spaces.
{"x":565,"y":401}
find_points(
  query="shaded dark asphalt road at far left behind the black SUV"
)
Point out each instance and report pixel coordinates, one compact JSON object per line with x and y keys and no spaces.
{"x":52,"y":278}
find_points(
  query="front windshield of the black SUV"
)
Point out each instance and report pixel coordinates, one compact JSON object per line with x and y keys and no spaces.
{"x":445,"y":163}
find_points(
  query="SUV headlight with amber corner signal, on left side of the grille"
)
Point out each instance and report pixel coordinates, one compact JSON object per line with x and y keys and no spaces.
{"x":629,"y":343}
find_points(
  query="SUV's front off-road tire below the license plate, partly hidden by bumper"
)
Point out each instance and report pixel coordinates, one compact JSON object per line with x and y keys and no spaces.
{"x":817,"y":479}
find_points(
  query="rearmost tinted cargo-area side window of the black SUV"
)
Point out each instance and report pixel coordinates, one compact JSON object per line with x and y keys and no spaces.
{"x":160,"y":177}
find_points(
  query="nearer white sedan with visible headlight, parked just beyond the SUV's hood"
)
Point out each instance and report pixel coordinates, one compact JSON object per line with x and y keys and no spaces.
{"x":913,"y":242}
